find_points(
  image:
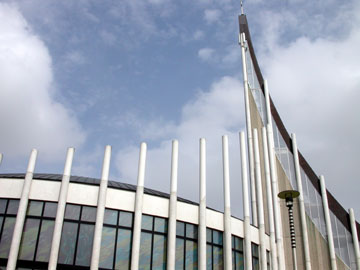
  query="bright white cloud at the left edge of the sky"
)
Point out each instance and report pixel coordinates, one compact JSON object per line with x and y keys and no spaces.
{"x":29,"y":115}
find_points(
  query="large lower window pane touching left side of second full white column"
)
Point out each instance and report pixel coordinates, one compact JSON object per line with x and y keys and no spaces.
{"x":46,"y":233}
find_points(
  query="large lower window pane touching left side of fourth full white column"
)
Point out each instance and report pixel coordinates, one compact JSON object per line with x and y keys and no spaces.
{"x":123,"y":249}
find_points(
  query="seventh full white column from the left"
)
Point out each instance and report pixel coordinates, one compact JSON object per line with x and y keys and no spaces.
{"x":227,"y":211}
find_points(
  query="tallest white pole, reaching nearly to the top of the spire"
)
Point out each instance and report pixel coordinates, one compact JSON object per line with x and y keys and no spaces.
{"x":249,"y":132}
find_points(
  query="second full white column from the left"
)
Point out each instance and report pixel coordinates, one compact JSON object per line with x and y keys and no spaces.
{"x":55,"y":244}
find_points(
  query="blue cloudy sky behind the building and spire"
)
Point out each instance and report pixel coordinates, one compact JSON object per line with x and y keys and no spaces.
{"x":88,"y":73}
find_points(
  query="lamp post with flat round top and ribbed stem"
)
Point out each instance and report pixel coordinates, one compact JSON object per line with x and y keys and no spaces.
{"x":288,"y":196}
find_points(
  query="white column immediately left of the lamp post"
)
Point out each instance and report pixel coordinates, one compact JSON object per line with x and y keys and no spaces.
{"x":275,"y":191}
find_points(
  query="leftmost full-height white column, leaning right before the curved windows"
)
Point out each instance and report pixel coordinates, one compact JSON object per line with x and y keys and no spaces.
{"x":21,"y":214}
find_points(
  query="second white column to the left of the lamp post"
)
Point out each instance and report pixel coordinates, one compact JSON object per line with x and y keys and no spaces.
{"x":273,"y":252}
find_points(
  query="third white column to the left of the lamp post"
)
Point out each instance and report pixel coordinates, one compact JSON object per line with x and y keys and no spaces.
{"x":261,"y":218}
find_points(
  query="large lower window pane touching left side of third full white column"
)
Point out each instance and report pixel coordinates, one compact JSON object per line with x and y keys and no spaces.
{"x":84,"y":249}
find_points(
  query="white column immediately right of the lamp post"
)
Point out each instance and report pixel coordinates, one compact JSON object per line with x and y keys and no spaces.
{"x":301,"y":205}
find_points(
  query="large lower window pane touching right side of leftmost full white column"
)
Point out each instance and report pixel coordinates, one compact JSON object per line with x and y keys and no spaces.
{"x":28,"y":239}
